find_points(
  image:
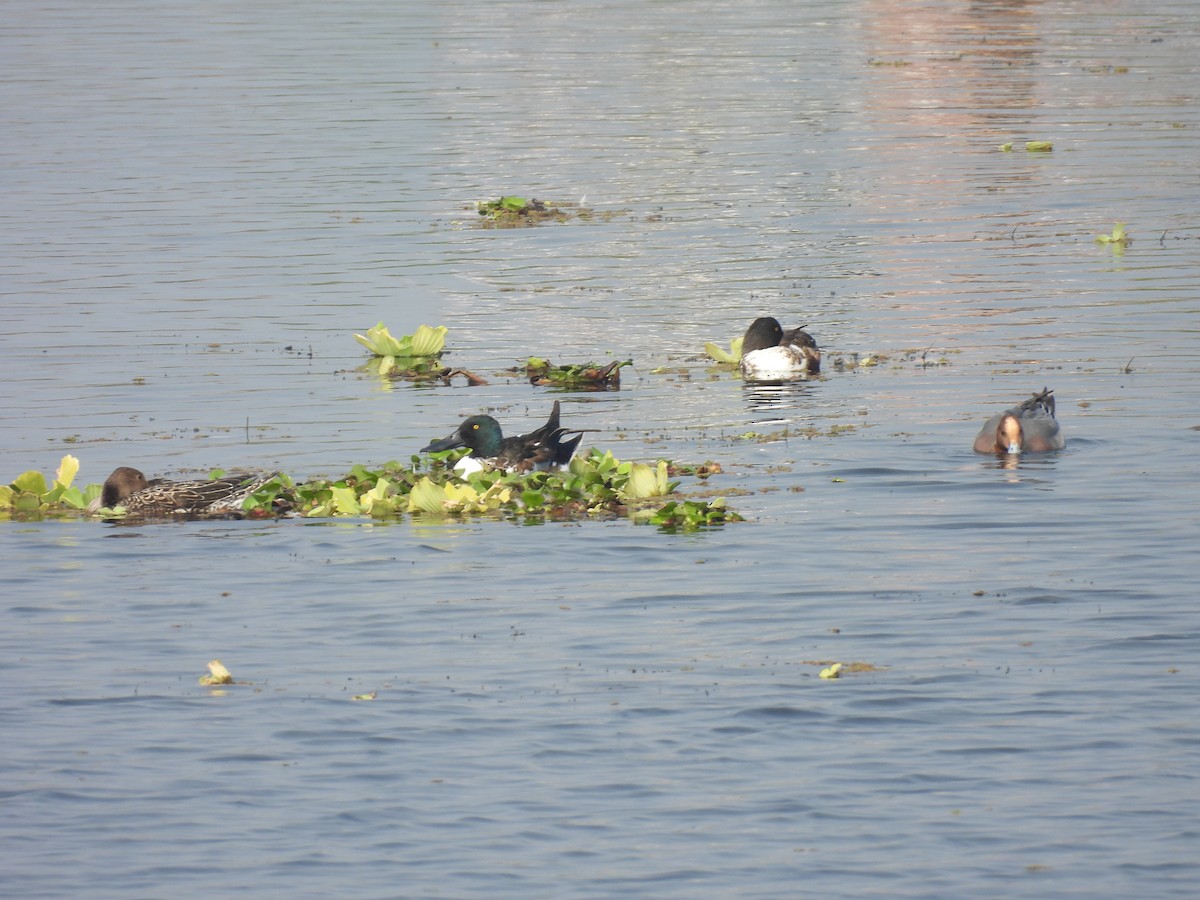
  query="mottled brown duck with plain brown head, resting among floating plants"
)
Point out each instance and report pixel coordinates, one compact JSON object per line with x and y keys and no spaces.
{"x":129,"y":489}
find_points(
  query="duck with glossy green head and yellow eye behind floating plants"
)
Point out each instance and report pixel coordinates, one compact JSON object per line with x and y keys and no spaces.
{"x":542,"y":449}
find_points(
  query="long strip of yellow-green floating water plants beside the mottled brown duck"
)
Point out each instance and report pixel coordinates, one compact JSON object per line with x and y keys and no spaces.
{"x":596,"y":485}
